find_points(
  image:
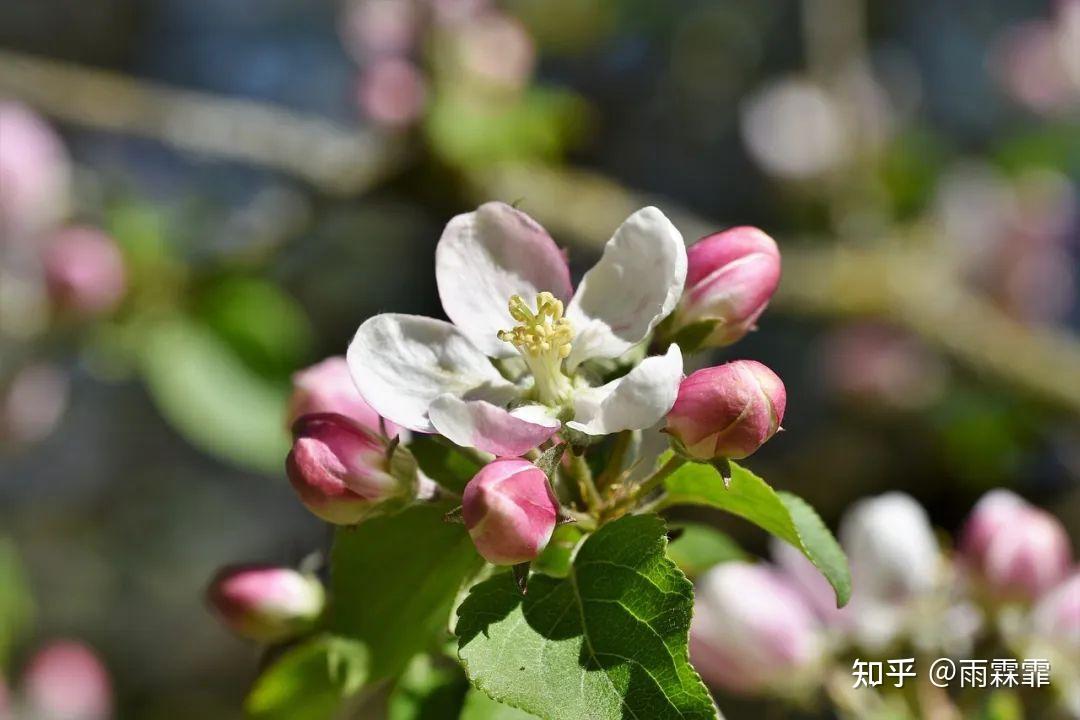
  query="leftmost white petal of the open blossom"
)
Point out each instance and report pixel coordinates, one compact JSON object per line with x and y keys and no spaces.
{"x":402,"y":363}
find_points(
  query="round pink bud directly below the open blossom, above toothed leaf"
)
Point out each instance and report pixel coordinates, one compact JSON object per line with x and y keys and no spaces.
{"x":510,"y":511}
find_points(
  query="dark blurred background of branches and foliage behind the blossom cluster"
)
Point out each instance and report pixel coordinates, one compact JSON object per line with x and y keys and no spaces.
{"x":199,"y":198}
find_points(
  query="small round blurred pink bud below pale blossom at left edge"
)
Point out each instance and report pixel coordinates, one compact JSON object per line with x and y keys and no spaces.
{"x":85,"y":271}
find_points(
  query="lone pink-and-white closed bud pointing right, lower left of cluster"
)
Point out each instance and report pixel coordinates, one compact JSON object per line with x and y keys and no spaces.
{"x":266,"y":604}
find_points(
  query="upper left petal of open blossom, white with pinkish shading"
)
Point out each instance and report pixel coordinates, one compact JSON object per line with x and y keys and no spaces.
{"x":487,"y":256}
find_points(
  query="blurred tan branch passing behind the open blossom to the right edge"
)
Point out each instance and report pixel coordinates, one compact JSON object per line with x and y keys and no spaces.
{"x":909,"y":289}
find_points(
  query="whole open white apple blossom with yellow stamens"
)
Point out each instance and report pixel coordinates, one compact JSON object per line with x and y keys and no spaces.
{"x":506,"y":288}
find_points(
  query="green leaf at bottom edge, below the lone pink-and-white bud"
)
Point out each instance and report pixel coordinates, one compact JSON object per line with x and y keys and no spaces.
{"x":310,"y":682}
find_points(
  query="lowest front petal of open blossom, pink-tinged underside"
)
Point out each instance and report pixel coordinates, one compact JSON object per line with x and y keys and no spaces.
{"x":485,"y":427}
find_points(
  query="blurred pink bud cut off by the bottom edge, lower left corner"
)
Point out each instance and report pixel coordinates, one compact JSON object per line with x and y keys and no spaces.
{"x":67,"y":682}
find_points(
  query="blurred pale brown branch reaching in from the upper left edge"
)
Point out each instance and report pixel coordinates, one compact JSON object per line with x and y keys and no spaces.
{"x":336,"y":159}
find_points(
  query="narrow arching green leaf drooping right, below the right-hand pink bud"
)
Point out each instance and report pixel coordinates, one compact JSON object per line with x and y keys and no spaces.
{"x":782,"y":514}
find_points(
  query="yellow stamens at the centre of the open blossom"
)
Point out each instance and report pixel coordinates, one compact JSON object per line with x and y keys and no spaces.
{"x":544,"y":338}
